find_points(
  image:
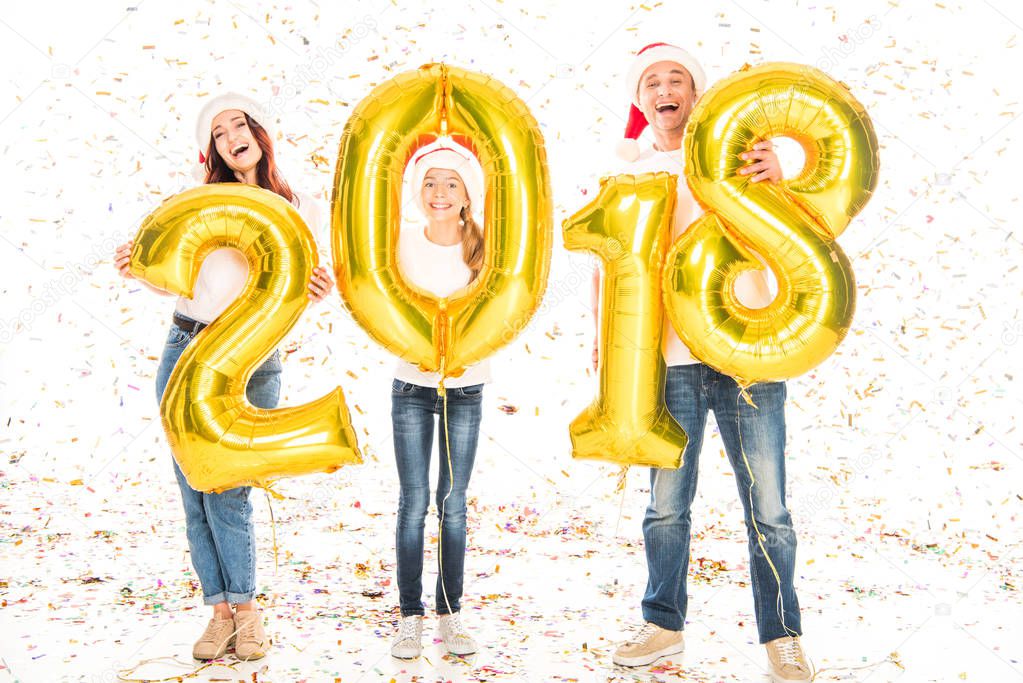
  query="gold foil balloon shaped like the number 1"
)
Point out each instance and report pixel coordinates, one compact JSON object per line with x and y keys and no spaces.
{"x":629,"y":226}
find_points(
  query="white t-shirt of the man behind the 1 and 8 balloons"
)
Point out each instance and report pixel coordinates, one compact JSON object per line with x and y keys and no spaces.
{"x":754,"y":289}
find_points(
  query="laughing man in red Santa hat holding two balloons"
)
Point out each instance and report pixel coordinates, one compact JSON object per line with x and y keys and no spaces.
{"x":664,"y":83}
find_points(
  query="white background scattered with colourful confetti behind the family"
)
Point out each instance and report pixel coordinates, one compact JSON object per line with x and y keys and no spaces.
{"x":905,"y":459}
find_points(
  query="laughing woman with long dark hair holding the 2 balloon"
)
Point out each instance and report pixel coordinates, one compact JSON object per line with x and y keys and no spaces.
{"x":233,"y":132}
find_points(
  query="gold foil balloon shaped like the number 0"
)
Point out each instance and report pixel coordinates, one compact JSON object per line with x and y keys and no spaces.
{"x":401,"y":116}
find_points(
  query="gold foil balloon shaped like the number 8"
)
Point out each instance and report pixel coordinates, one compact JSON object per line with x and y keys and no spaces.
{"x":792,"y":225}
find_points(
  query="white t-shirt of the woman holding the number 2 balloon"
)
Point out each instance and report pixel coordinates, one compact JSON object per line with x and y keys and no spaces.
{"x":223,"y":276}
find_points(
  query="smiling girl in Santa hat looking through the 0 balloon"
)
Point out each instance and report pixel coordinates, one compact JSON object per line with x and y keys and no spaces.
{"x":442,"y":257}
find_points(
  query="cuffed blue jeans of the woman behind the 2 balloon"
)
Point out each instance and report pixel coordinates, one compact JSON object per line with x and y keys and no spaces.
{"x":219,"y":526}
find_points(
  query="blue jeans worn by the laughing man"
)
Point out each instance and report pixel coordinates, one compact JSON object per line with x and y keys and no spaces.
{"x":690,"y":392}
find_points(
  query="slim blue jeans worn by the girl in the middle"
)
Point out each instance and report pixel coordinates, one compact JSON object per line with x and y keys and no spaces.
{"x":414,"y":412}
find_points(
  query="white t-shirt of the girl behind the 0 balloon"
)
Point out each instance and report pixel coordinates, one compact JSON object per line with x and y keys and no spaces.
{"x":440,"y":270}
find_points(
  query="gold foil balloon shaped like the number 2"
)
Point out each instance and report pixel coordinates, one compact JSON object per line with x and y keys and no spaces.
{"x":219,"y":439}
